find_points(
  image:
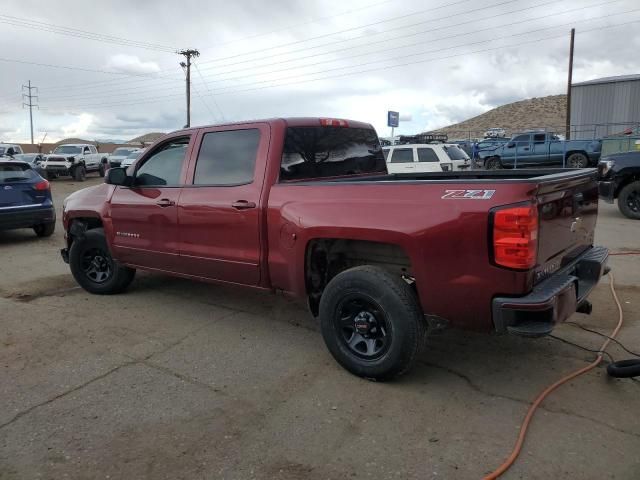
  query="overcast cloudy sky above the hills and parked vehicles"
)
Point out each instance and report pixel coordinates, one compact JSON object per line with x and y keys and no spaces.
{"x":108,"y":70}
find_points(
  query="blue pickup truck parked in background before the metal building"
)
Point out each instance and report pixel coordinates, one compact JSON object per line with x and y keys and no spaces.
{"x":542,"y":149}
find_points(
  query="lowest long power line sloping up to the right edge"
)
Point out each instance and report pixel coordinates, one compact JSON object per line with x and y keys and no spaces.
{"x":546,"y":38}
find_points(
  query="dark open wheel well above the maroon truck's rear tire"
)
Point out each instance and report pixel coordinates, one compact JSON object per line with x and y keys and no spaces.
{"x":325,"y":258}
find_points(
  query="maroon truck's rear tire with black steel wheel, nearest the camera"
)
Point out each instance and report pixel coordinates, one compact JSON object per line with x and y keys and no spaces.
{"x":372,"y":323}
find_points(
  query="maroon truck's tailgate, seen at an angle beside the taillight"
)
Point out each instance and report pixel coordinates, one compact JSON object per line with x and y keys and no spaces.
{"x":567,"y":212}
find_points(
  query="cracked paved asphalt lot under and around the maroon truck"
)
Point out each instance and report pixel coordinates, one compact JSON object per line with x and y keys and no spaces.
{"x":176,"y":380}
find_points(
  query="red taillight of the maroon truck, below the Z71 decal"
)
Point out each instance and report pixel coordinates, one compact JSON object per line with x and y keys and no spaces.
{"x":515,"y":236}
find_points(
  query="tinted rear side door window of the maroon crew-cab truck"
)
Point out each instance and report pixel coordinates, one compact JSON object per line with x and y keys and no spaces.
{"x":227,"y":158}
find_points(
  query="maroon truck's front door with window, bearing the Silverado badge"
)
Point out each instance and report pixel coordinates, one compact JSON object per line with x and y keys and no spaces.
{"x":145,"y":216}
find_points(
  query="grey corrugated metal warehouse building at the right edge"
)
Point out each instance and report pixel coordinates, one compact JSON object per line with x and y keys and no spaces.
{"x":605,"y":106}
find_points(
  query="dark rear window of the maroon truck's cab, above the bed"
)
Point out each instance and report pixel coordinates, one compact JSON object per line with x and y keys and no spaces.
{"x":320,"y":152}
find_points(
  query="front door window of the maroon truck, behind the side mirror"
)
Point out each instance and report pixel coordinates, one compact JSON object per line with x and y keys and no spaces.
{"x":163,"y":168}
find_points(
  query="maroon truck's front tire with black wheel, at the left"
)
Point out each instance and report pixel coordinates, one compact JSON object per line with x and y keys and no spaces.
{"x":93,"y":267}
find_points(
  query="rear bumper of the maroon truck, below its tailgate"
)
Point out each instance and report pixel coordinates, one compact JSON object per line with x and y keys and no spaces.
{"x":552,"y":301}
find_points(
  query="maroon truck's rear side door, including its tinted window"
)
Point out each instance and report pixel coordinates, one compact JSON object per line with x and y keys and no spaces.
{"x":219,"y":210}
